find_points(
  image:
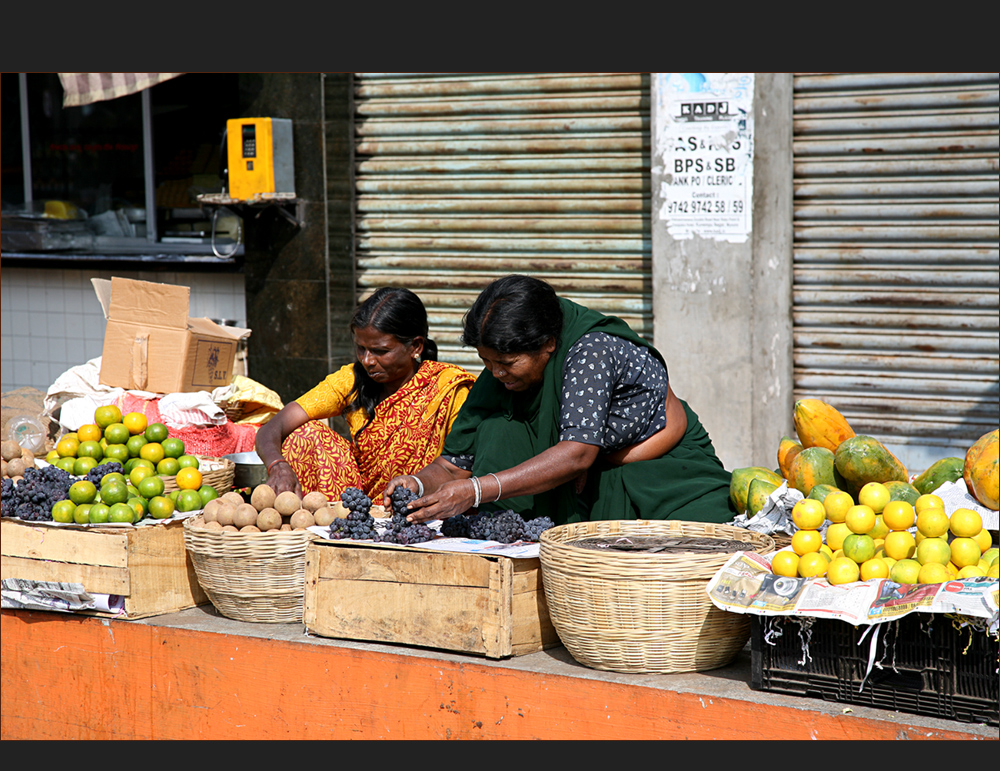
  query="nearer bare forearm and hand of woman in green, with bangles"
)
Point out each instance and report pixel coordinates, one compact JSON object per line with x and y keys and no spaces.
{"x":547,"y":470}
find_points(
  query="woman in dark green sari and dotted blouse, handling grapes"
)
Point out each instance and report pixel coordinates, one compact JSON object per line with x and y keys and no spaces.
{"x":573,"y":418}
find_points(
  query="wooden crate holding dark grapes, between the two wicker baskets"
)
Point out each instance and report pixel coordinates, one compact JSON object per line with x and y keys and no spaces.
{"x":473,"y":603}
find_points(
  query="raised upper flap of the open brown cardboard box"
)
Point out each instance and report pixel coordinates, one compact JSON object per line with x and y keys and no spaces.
{"x":143,"y":302}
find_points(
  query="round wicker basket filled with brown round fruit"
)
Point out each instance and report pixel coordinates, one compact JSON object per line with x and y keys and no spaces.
{"x":257,"y":577}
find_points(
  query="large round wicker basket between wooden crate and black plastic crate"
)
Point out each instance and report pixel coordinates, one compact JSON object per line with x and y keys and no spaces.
{"x":642,"y":611}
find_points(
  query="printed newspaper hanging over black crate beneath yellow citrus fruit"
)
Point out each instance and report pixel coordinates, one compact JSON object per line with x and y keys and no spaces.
{"x":745,"y":584}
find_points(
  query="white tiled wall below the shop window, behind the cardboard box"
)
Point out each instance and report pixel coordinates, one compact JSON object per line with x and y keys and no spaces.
{"x":52,"y":321}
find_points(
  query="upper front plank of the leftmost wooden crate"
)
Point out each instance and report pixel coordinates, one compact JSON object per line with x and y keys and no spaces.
{"x":64,"y":544}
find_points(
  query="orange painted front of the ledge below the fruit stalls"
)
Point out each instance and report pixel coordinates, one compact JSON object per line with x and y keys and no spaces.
{"x":80,"y":677}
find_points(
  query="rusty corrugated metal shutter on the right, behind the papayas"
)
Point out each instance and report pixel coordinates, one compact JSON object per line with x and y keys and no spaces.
{"x":895,"y":255}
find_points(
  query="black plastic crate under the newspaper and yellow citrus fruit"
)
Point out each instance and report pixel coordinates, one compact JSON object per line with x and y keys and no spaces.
{"x":928,"y":666}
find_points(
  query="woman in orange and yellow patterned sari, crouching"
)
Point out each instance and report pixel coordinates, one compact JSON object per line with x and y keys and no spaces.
{"x":398,"y":400}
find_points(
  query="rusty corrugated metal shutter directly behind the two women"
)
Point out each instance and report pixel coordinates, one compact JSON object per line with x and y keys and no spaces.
{"x":461,"y":179}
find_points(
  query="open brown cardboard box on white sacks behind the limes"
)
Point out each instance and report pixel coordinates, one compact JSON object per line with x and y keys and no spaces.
{"x":151,"y":344}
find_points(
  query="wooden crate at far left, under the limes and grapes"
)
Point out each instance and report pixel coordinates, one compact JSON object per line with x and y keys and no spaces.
{"x":148,"y":566}
